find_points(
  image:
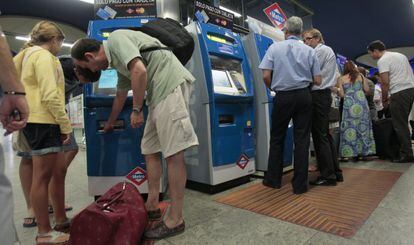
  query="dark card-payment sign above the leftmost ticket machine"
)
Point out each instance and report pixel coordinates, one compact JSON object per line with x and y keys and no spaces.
{"x":114,"y":9}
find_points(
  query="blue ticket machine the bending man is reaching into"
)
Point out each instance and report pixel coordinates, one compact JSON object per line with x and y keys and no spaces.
{"x":116,"y":156}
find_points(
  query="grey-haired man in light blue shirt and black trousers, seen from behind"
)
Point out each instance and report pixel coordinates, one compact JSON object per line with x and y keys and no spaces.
{"x":295,"y":67}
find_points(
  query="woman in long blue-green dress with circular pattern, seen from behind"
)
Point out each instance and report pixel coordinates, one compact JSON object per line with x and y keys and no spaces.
{"x":357,"y":138}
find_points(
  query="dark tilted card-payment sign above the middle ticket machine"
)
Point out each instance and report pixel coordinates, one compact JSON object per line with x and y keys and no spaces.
{"x":209,"y":14}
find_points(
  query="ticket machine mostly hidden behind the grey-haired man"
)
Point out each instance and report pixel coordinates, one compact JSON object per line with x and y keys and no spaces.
{"x":256,"y":46}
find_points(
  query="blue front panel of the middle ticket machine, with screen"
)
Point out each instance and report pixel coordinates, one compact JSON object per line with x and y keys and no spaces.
{"x":231,"y":100}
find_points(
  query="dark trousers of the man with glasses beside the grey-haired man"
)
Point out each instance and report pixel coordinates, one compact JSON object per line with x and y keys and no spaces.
{"x":326,"y":153}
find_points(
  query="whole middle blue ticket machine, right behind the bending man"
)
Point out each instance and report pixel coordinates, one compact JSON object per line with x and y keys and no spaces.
{"x":222,"y":110}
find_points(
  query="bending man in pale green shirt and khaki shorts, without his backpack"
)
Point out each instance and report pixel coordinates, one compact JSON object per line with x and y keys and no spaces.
{"x":168,"y":128}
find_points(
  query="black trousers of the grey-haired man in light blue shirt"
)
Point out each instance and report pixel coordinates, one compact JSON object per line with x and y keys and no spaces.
{"x":296,"y":105}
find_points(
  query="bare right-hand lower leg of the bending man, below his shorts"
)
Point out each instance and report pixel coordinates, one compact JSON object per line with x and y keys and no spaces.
{"x":177,"y":177}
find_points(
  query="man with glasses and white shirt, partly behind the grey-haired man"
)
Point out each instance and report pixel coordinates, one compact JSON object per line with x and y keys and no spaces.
{"x":325,"y":149}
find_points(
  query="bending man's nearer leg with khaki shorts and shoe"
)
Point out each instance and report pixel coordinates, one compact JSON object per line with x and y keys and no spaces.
{"x":175,"y":134}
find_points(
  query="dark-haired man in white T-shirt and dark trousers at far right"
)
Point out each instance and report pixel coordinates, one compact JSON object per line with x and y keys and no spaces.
{"x":397,"y":79}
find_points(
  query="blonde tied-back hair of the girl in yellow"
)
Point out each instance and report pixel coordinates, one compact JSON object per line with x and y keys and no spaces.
{"x":43,"y":32}
